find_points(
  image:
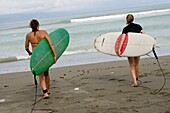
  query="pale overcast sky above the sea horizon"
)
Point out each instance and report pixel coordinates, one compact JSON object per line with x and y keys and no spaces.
{"x":24,"y":6}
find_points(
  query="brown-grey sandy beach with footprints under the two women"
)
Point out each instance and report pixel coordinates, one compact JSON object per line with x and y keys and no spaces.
{"x":92,"y":88}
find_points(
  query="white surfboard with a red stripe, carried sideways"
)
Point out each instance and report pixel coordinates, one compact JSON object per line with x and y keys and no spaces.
{"x":135,"y":44}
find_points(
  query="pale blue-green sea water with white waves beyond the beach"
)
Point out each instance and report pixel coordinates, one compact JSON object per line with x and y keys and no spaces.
{"x":83,"y":30}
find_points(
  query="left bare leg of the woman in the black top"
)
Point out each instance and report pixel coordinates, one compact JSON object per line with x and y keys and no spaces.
{"x":132,"y":69}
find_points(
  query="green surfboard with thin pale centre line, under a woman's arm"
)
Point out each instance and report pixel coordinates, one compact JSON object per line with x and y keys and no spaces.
{"x":42,"y":57}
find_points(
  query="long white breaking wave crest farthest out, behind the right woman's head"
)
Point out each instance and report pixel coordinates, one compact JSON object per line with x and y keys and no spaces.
{"x":118,"y":16}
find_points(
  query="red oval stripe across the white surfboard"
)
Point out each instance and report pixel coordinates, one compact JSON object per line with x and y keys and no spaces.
{"x":124,"y":45}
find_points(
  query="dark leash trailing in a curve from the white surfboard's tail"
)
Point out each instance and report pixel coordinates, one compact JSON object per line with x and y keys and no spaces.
{"x":154,"y":52}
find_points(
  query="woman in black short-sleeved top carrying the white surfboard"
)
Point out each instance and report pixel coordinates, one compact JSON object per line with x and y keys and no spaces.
{"x":133,"y":61}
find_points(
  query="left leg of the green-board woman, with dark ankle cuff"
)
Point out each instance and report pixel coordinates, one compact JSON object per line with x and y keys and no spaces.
{"x":43,"y":85}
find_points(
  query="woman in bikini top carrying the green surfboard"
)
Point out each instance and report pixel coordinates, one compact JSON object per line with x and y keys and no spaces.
{"x":34,"y":37}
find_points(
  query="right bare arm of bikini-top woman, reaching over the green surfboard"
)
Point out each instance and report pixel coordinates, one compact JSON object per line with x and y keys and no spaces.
{"x":52,"y":46}
